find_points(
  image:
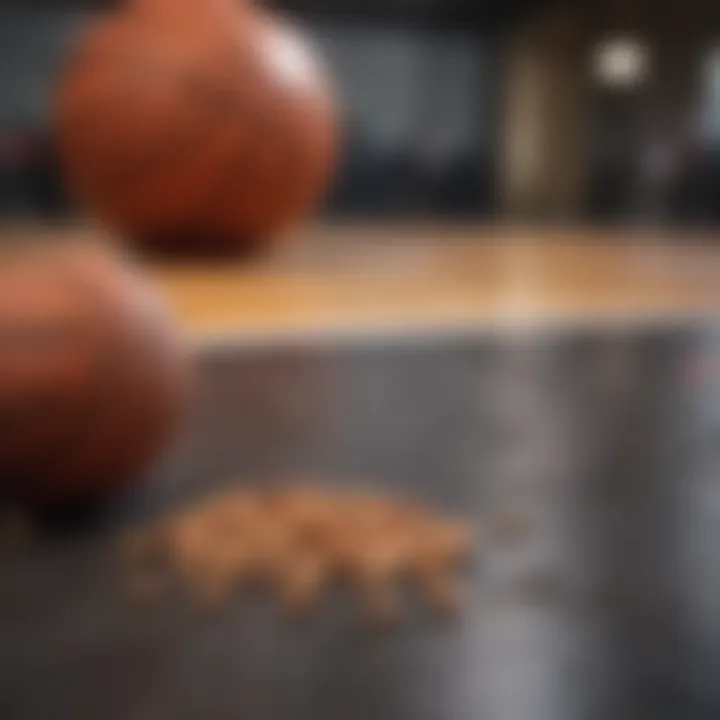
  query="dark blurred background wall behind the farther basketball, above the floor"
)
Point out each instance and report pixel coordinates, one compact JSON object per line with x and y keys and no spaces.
{"x":597,"y":112}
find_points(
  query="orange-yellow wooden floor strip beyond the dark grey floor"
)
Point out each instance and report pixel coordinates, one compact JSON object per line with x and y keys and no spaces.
{"x":408,"y":278}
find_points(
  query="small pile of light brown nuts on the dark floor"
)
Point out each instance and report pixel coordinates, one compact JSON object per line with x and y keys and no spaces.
{"x":297,"y":543}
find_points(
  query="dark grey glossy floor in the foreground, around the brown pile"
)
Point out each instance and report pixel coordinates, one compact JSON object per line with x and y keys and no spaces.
{"x":609,"y":607}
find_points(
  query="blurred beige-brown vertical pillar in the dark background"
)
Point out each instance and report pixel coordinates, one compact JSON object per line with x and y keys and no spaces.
{"x":543,"y":157}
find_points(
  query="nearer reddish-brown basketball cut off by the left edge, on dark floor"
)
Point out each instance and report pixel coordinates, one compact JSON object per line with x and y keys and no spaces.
{"x":93,"y":375}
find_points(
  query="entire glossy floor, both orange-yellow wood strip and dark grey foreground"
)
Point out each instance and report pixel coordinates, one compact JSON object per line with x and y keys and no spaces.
{"x":380,"y":358}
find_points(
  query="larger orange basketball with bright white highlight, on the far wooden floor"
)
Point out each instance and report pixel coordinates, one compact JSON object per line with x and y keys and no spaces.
{"x":200,"y":126}
